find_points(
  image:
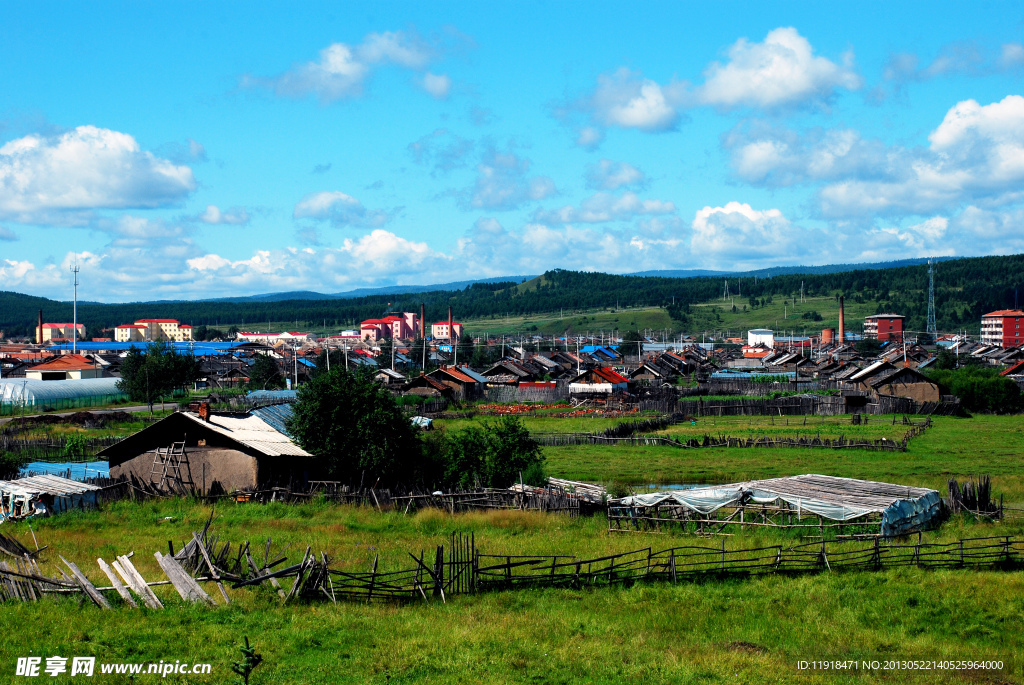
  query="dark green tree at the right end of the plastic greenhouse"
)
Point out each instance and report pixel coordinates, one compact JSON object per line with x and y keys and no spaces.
{"x":158,"y":372}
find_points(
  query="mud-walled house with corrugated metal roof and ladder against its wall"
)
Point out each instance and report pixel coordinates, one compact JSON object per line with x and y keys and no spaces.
{"x":216,"y":453}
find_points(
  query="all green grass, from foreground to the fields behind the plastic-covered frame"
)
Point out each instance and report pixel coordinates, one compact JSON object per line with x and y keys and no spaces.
{"x":735,"y":631}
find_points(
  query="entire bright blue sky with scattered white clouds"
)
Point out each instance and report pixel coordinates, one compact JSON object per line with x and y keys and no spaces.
{"x":189,"y":150}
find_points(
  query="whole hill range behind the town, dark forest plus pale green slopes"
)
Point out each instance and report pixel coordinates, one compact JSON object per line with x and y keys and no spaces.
{"x":965,"y":290}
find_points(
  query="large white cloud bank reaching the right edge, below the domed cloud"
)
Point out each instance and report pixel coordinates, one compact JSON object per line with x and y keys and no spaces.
{"x":974,"y":156}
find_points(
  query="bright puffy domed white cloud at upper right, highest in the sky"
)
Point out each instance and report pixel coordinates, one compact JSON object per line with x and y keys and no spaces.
{"x":781,"y":71}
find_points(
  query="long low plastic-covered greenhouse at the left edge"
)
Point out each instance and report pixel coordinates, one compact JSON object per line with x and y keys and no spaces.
{"x":18,"y":395}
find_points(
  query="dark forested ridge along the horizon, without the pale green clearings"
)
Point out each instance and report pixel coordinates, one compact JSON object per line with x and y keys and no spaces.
{"x":965,"y":290}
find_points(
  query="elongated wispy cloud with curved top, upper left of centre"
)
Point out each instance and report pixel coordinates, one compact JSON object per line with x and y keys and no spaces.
{"x":344,"y":70}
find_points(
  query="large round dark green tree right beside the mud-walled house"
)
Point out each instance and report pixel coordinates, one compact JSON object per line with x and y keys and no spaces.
{"x":354,"y":425}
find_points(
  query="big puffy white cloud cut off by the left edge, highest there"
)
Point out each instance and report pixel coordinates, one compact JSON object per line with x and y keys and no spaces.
{"x":83,"y":169}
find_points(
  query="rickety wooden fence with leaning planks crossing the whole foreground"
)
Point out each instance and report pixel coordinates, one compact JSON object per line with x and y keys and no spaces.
{"x":459,"y":568}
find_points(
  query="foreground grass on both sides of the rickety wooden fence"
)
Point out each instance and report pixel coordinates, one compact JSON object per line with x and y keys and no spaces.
{"x":751,"y":631}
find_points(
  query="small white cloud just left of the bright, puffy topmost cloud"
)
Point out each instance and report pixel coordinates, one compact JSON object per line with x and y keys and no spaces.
{"x":627,"y":100}
